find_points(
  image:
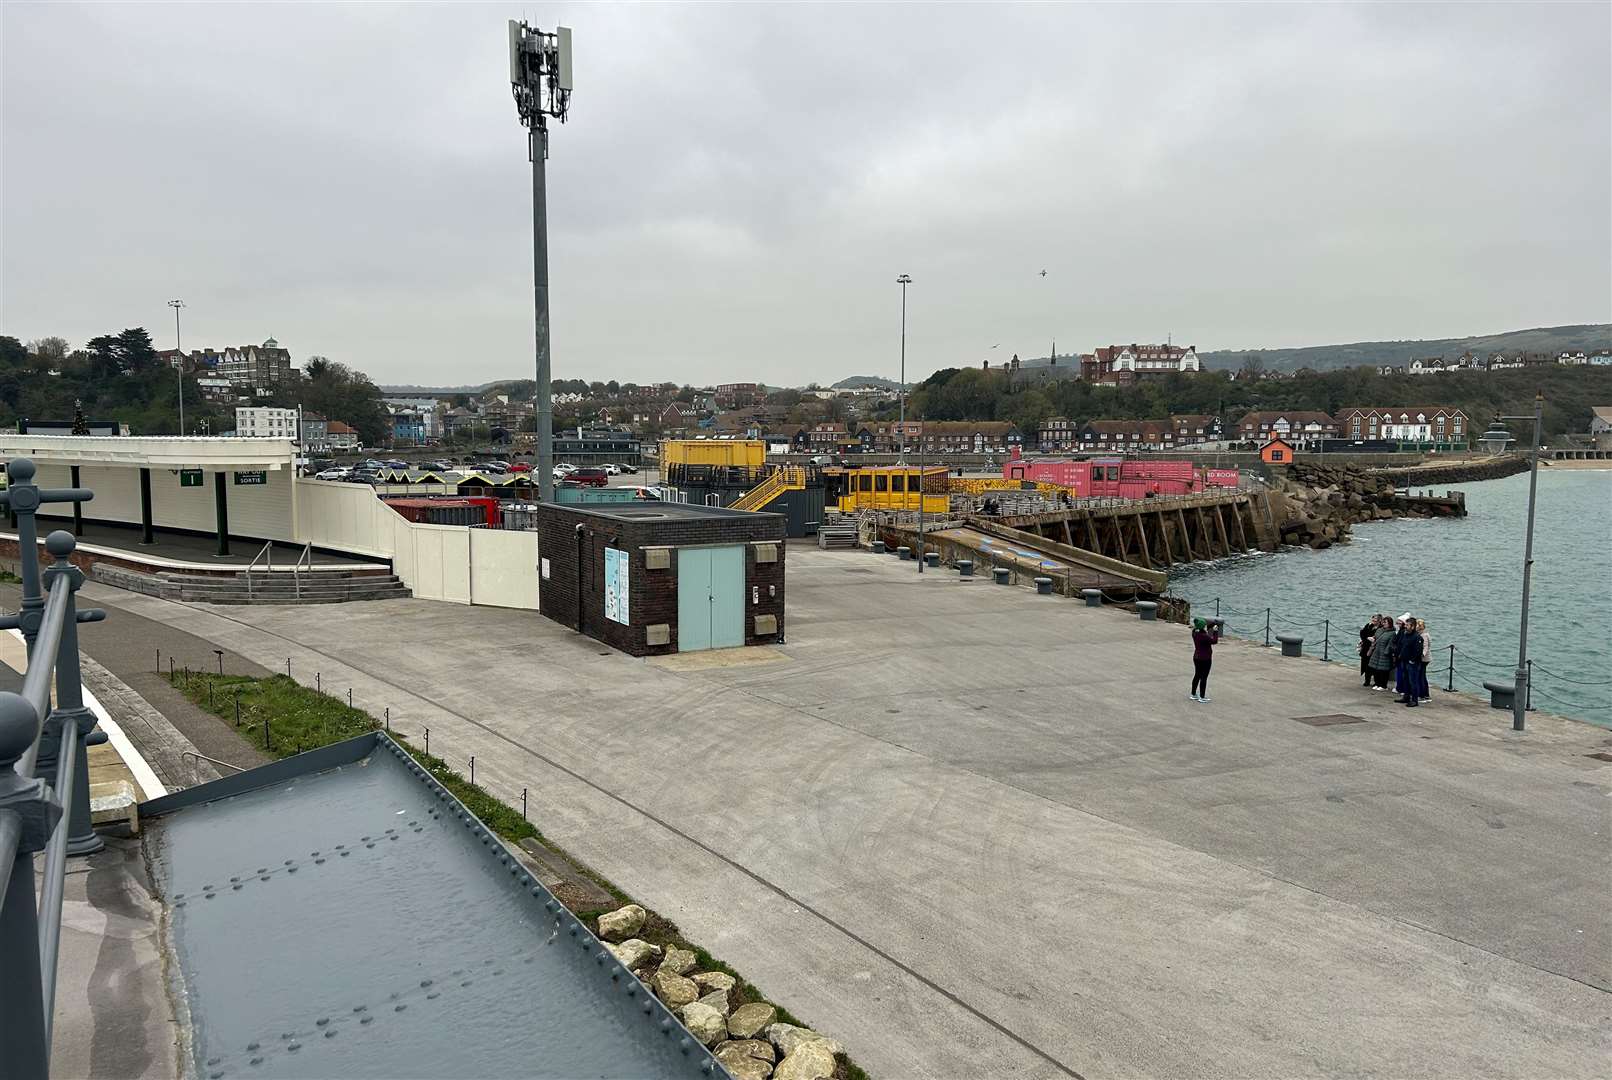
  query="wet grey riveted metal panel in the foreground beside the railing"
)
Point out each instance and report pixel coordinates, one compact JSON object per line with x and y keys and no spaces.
{"x":352,"y":920}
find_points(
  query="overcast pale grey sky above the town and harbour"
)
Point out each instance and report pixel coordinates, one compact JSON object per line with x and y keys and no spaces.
{"x":741,"y":186}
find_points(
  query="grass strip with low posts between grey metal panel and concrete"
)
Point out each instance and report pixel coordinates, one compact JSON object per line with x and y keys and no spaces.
{"x":285,"y":718}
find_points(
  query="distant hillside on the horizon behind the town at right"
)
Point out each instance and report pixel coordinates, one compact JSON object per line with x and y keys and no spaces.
{"x":1552,"y":339}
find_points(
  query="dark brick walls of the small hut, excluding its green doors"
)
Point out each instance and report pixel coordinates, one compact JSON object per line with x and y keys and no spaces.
{"x":575,"y":591}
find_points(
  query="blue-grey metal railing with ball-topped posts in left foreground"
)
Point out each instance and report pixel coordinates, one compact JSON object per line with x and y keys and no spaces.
{"x":44,"y":776}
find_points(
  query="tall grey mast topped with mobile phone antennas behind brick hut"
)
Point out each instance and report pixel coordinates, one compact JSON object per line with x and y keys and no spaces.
{"x":541,"y":78}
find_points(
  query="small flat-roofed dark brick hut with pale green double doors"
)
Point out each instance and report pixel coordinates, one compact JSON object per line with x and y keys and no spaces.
{"x":663,"y":578}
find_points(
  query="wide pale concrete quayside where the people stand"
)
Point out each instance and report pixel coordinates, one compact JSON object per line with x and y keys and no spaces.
{"x":971,"y":831}
